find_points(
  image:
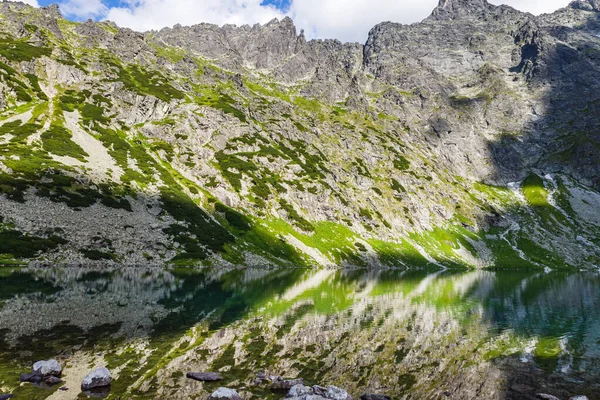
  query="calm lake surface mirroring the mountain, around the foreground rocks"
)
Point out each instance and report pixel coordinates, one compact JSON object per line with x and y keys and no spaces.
{"x":408,"y":334}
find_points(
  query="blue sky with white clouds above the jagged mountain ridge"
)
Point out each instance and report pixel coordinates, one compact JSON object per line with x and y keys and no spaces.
{"x":346,"y":20}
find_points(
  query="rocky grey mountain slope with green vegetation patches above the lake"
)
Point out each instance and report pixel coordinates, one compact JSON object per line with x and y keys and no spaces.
{"x":470,"y":139}
